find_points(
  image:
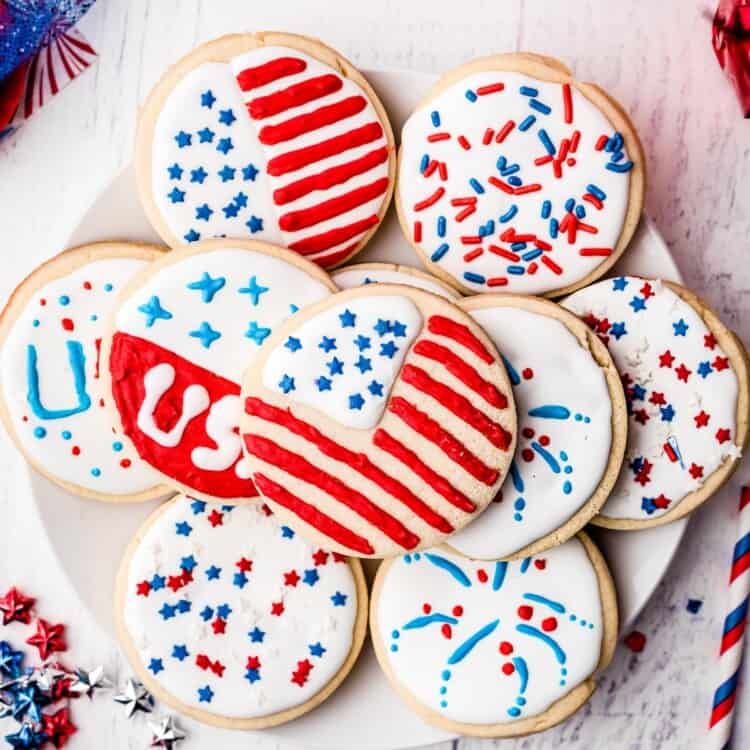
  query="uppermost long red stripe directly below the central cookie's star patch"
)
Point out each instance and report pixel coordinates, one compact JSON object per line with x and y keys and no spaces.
{"x":360,"y":462}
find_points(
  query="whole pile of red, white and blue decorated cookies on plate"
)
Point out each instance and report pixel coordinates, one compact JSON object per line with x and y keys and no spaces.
{"x":458,"y":425}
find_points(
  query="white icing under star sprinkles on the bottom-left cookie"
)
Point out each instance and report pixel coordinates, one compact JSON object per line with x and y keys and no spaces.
{"x":310,"y":616}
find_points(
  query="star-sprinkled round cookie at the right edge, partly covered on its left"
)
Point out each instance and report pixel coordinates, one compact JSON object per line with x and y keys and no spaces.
{"x":686,"y":386}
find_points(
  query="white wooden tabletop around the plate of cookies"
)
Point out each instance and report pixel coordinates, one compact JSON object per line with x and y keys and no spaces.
{"x":654,"y":57}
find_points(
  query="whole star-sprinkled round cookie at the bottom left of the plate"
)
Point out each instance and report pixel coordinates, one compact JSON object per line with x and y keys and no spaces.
{"x":230,"y":617}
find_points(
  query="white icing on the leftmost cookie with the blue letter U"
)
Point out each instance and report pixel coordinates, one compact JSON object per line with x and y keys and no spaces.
{"x":81,"y":448}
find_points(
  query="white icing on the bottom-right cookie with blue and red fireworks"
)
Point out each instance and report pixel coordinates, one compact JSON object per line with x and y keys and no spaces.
{"x":477,"y":690}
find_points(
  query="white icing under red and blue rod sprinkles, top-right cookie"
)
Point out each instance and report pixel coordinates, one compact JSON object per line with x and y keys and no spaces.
{"x":461,"y":117}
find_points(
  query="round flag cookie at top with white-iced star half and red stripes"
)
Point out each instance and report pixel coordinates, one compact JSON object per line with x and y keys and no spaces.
{"x":269,"y":135}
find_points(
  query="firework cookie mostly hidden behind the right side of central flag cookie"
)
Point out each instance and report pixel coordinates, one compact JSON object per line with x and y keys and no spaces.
{"x":572,"y":428}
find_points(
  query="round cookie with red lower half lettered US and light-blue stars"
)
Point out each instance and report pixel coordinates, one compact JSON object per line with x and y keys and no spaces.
{"x":176,"y":348}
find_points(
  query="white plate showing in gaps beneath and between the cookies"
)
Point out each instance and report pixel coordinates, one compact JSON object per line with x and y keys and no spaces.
{"x":638,"y":559}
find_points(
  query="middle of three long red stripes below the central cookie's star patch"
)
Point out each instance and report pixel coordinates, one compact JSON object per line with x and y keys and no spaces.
{"x":300,"y":468}
